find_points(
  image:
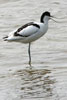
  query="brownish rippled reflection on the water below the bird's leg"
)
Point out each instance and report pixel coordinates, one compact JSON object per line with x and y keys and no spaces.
{"x":36,"y":83}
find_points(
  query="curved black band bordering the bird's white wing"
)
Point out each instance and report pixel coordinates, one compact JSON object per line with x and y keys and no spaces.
{"x":24,"y":26}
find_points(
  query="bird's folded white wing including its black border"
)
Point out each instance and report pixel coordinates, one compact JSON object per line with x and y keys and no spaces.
{"x":27,"y":30}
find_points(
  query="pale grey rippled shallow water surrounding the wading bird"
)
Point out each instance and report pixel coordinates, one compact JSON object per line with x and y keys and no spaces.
{"x":46,"y":79}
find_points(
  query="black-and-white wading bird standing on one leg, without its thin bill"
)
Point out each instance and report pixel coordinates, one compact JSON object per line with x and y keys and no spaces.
{"x":30,"y":32}
